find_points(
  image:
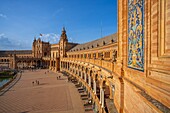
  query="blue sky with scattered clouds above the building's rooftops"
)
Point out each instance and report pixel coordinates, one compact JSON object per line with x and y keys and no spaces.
{"x":22,"y":20}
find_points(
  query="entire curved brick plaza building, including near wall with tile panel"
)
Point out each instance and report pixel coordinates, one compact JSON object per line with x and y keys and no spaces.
{"x":126,"y":72}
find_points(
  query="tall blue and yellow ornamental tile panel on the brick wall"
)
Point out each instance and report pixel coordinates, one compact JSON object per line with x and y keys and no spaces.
{"x":136,"y":34}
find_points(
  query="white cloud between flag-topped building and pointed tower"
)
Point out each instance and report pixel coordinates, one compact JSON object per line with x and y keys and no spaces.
{"x":50,"y":37}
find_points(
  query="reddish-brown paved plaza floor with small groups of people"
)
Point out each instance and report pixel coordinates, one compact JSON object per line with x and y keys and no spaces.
{"x":50,"y":96}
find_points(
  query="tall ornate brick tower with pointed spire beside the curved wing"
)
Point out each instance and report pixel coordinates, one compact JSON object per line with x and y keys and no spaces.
{"x":62,"y":43}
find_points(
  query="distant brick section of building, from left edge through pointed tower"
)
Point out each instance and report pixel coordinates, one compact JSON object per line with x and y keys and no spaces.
{"x":43,"y":54}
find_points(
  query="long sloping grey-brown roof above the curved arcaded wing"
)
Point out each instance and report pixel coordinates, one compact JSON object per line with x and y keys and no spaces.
{"x":96,"y":43}
